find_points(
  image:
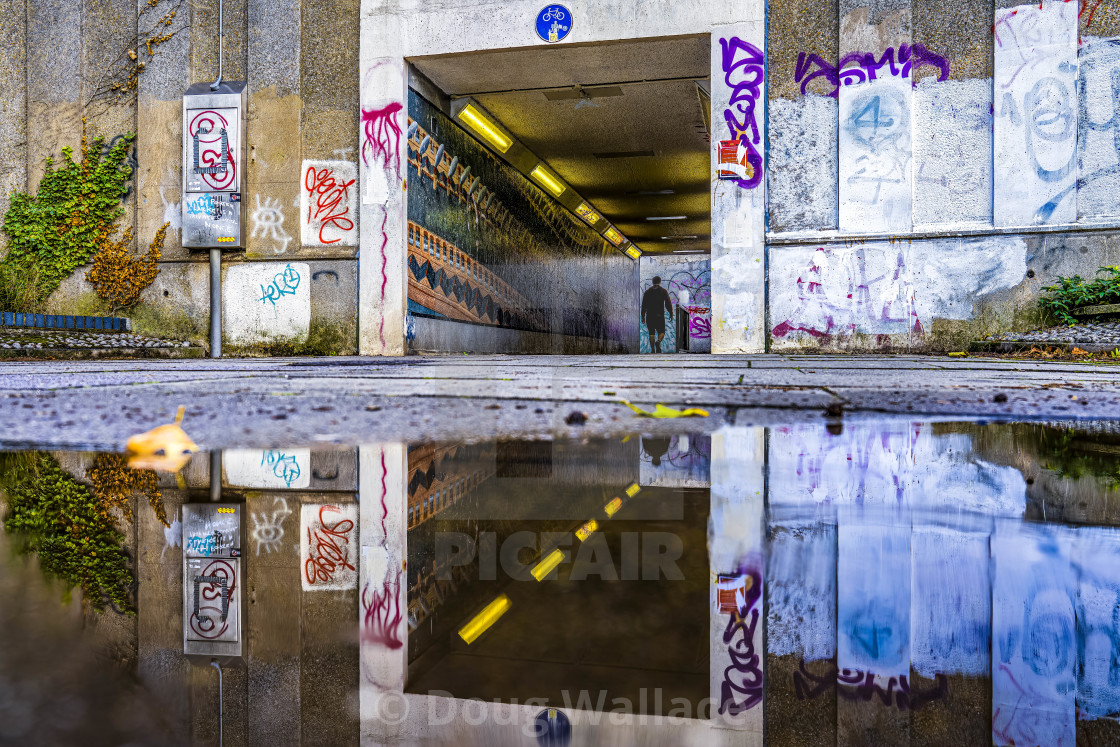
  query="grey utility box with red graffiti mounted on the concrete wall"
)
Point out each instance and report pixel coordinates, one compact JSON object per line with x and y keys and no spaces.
{"x":213,"y":166}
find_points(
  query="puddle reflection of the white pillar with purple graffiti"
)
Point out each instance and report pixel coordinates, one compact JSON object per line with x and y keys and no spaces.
{"x":736,"y":536}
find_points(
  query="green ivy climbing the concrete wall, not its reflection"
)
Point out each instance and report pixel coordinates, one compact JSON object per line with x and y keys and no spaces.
{"x":60,"y":228}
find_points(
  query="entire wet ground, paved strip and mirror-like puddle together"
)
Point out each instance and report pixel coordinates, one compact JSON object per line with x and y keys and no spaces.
{"x":764,"y":576}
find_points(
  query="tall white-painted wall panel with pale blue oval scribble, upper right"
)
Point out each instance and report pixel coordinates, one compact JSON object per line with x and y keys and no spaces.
{"x":1037,"y":114}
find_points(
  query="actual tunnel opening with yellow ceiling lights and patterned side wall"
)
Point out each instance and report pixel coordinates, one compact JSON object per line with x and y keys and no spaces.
{"x":537,"y":178}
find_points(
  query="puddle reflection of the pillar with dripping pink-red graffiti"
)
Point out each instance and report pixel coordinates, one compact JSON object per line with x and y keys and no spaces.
{"x":384,"y":591}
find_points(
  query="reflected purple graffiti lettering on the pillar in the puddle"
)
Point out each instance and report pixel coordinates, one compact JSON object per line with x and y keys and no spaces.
{"x":743,"y":680}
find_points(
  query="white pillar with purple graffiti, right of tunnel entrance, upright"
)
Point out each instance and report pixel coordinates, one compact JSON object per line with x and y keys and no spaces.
{"x":739,"y":251}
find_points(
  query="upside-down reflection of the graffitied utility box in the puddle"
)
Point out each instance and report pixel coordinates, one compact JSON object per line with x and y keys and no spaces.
{"x":212,"y":580}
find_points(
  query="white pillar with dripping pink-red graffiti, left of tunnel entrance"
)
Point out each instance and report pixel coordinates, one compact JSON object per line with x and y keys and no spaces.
{"x":382,"y":281}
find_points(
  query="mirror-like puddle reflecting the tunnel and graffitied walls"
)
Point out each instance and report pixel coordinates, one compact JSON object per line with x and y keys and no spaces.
{"x":873,"y":583}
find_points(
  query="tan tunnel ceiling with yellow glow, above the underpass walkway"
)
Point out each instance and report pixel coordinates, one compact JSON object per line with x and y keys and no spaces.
{"x":632,"y":138}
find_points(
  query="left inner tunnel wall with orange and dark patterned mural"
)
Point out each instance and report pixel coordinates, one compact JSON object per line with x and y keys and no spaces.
{"x":487,"y":247}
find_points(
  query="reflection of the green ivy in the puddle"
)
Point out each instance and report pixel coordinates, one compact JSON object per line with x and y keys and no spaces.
{"x":69,"y":528}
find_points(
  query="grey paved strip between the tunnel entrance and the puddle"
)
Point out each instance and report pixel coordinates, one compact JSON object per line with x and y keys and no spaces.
{"x":305,"y":401}
